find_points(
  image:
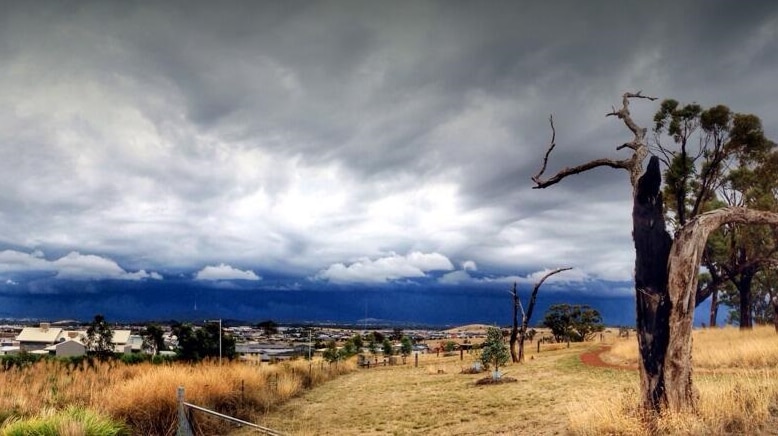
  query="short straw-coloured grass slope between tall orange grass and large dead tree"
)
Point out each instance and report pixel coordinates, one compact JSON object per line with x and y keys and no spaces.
{"x":409,"y":400}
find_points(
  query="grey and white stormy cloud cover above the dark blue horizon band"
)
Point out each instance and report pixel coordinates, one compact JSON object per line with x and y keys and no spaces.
{"x":343,"y":142}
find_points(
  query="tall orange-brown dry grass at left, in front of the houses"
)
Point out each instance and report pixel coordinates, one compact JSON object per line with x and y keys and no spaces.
{"x":144,"y":396}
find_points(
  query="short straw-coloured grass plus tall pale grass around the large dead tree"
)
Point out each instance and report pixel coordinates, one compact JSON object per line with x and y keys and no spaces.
{"x":556,"y":394}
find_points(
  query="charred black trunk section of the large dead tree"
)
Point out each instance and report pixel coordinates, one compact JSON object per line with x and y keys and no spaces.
{"x":652,"y":247}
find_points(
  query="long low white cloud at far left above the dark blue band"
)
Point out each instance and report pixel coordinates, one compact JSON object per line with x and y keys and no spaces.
{"x":73,"y":266}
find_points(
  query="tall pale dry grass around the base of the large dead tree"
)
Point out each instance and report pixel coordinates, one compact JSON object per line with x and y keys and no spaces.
{"x":738,"y":388}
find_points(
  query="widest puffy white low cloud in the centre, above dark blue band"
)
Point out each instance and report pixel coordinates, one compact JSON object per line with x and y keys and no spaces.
{"x":385,"y":269}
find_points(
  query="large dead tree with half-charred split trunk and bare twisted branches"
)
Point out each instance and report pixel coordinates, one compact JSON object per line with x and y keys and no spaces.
{"x":666,"y":268}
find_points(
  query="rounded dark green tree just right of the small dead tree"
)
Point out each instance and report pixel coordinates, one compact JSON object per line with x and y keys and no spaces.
{"x":574,"y":323}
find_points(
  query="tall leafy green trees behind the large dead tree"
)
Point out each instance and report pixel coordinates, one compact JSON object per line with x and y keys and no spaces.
{"x":721,"y":158}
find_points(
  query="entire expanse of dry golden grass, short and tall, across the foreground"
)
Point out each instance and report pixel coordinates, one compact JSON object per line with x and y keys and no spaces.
{"x":555,"y":393}
